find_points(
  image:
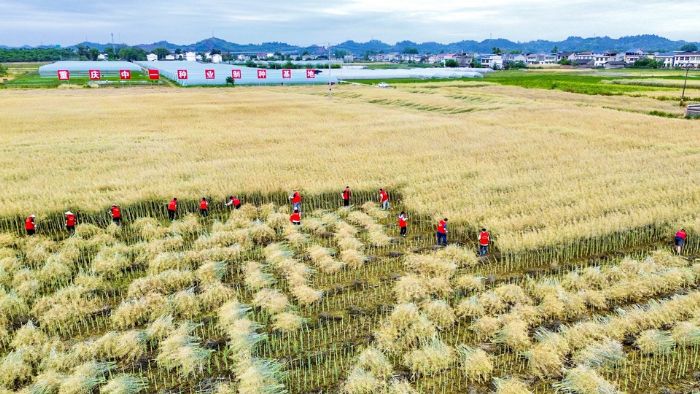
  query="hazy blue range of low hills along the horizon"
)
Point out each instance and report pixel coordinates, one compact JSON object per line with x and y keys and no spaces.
{"x":646,"y":42}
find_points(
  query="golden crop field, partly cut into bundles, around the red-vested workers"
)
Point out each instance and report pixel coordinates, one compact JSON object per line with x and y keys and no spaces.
{"x":581,"y":292}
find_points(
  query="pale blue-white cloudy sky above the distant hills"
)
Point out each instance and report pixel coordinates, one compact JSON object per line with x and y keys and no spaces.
{"x":305,"y":22}
